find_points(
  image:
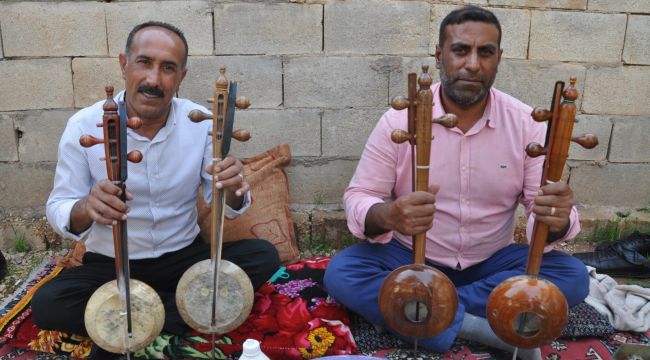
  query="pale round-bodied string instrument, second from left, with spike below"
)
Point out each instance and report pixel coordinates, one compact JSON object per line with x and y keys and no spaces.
{"x":215,"y":296}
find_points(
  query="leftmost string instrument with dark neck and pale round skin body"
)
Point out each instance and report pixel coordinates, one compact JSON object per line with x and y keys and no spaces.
{"x":123,"y":315}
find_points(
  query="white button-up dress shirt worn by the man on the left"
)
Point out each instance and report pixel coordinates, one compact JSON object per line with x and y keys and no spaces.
{"x":164,"y":185}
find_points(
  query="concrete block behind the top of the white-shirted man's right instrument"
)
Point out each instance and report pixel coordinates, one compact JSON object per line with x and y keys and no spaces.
{"x":259,"y":78}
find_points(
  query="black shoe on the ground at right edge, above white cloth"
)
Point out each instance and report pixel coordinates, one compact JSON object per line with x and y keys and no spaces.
{"x":616,"y":260}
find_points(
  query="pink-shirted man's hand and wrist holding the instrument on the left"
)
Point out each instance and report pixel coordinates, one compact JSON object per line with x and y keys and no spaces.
{"x":409,"y":214}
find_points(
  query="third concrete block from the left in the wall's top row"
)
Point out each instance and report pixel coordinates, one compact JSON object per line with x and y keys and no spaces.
{"x":263,"y":28}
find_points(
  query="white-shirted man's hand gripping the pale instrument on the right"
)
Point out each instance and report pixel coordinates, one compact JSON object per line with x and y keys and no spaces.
{"x":229,"y":174}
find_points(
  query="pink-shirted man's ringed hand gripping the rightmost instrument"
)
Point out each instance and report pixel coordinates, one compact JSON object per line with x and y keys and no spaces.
{"x":553,"y":206}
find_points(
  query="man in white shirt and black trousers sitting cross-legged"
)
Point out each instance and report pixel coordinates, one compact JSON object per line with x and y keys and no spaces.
{"x":162,"y":190}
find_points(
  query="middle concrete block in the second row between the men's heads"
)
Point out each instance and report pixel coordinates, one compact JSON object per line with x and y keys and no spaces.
{"x":335,"y":82}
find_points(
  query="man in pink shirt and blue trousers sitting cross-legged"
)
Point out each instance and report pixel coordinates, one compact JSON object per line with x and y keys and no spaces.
{"x":479,"y":174}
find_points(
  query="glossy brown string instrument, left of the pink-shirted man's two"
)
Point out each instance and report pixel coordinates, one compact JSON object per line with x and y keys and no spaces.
{"x":418,"y":300}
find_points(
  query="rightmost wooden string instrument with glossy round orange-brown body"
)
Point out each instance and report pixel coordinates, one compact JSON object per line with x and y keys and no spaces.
{"x":527,"y":311}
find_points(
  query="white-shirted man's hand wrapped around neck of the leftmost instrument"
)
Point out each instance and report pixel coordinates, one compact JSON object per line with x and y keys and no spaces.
{"x":102,"y":205}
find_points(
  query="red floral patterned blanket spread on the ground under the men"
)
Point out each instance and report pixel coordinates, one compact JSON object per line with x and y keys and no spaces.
{"x":293,"y":318}
